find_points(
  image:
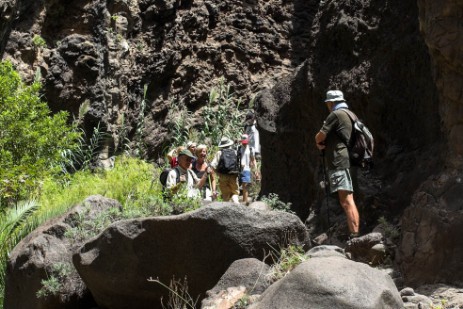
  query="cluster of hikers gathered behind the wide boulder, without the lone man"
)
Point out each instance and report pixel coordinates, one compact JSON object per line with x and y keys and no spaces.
{"x":233,"y":165}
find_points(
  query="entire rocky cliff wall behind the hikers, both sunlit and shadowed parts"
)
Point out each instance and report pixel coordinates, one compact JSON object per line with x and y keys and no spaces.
{"x":399,"y":65}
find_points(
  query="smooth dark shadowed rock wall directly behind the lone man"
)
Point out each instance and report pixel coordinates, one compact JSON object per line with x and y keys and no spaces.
{"x":384,"y":69}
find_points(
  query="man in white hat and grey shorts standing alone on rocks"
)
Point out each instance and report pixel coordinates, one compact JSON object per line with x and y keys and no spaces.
{"x":338,"y":128}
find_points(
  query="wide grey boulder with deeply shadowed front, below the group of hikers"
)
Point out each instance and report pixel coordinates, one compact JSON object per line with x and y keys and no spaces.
{"x":199,"y":245}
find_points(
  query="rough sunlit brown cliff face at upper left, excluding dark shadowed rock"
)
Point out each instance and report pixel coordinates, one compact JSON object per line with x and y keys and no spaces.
{"x":103,"y":53}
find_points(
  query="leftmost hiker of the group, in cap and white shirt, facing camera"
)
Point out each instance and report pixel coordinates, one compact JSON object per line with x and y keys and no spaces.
{"x":183,"y":177}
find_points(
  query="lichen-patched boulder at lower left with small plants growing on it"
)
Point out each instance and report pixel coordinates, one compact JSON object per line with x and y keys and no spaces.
{"x":36,"y":257}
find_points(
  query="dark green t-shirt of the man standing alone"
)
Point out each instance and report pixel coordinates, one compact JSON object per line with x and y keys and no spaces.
{"x":338,"y":128}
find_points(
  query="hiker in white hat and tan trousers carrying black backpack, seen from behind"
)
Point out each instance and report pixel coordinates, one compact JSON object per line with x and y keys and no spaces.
{"x":222,"y":164}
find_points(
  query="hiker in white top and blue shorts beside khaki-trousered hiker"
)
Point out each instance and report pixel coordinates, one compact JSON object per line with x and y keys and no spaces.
{"x":248,"y":163}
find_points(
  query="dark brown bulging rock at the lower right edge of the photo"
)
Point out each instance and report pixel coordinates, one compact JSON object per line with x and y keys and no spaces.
{"x":431,"y":248}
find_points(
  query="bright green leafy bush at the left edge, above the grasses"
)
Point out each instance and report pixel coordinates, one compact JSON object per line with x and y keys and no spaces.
{"x":31,"y":138}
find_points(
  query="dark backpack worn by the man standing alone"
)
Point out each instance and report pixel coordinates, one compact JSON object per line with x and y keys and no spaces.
{"x":361,"y":143}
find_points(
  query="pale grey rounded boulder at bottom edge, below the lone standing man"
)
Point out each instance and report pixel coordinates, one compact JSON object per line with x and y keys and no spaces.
{"x":332,"y":282}
